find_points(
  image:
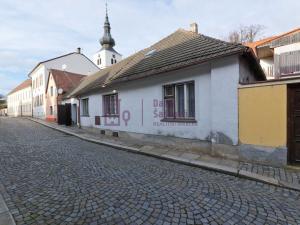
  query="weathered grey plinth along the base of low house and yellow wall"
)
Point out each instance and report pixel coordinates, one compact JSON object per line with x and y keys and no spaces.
{"x":245,"y":153}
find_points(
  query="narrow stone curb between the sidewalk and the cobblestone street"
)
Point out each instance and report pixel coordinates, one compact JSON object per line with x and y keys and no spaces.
{"x":195,"y":163}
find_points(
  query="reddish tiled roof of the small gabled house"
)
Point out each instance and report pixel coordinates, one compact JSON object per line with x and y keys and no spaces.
{"x":66,"y":80}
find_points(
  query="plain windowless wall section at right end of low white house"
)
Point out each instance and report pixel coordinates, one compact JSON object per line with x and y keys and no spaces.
{"x":224,"y":101}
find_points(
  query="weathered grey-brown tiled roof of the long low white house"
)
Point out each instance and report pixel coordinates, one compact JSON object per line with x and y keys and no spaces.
{"x":181,"y":48}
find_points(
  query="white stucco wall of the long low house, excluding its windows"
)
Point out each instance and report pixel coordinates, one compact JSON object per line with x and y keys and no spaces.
{"x":216,"y":109}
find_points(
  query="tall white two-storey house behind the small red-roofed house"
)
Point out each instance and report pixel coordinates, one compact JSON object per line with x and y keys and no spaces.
{"x":74,"y":62}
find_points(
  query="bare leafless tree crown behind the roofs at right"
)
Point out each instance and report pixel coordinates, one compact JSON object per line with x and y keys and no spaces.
{"x":246,"y":33}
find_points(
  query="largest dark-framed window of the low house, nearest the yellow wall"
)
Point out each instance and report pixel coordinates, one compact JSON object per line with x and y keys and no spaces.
{"x":179,"y":101}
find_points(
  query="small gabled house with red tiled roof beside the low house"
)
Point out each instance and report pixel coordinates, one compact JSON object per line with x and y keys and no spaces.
{"x":59,"y":84}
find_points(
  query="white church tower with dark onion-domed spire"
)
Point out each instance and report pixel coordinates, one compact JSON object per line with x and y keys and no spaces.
{"x":107,"y":55}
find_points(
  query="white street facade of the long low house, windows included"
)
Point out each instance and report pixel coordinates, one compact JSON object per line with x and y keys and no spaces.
{"x":209,"y":97}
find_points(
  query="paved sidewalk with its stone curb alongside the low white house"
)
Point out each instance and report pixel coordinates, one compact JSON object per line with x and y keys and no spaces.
{"x":287,"y":177}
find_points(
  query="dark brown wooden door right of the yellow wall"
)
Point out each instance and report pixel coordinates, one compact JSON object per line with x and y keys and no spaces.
{"x":293,"y":99}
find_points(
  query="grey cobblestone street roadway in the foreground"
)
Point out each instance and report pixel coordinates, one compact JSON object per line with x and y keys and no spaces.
{"x":51,"y":178}
